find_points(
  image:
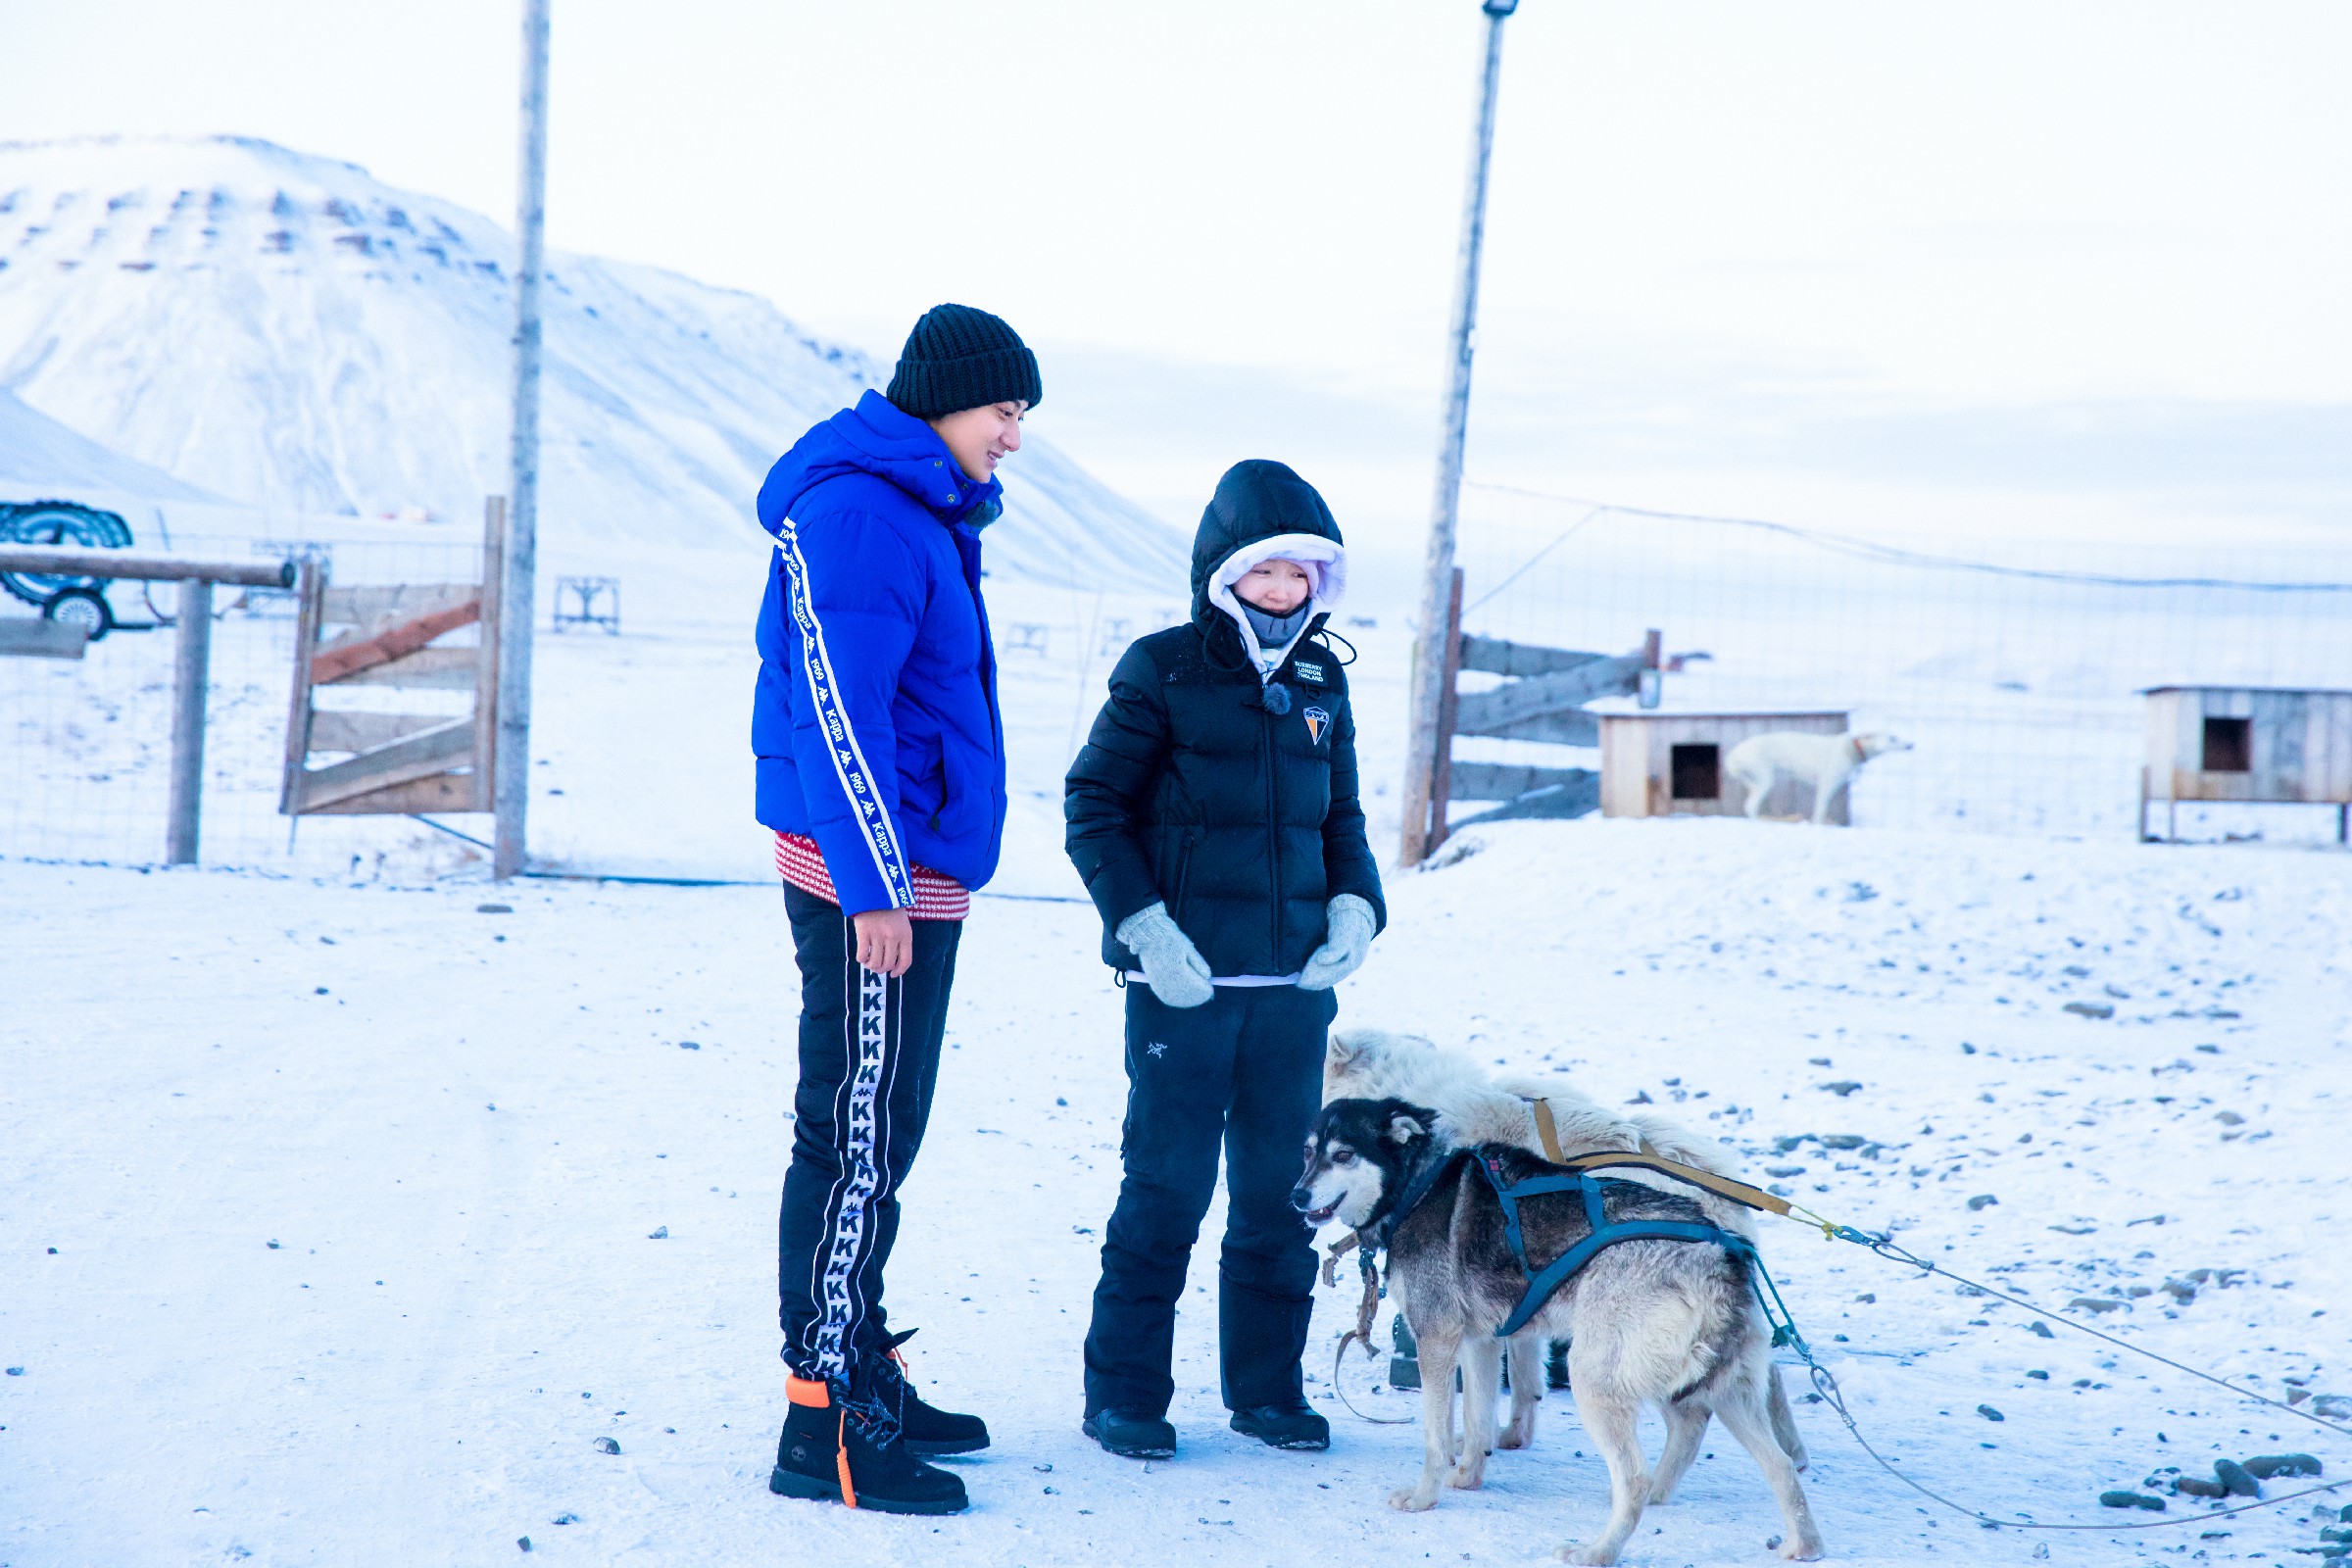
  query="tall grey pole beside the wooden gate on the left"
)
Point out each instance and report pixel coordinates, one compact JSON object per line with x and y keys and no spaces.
{"x":519,"y":589}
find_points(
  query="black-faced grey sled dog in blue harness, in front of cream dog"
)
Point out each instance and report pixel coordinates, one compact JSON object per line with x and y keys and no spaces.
{"x":1650,"y":1322}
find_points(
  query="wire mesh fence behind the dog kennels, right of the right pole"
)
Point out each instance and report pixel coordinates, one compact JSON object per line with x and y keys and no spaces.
{"x":2014,"y":671}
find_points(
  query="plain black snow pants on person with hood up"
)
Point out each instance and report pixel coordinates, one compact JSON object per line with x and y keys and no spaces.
{"x":1241,"y":1071}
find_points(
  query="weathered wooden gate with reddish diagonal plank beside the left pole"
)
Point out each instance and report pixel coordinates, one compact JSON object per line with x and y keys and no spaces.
{"x":392,"y":638}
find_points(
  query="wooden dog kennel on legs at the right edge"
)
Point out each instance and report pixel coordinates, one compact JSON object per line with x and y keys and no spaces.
{"x":2247,"y":744}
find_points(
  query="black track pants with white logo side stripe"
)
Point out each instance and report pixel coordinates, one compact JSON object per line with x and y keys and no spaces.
{"x":869,"y":1061}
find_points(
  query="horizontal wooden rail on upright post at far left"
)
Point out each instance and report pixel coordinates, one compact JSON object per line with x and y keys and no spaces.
{"x":192,"y":662}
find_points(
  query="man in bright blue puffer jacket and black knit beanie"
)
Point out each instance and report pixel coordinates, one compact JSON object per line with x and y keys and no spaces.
{"x":883,"y":777}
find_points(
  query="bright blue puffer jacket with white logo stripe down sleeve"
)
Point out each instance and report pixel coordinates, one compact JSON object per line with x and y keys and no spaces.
{"x":876,"y":718}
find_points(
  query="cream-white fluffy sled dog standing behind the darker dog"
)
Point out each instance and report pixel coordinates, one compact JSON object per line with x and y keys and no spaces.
{"x":1471,"y":1111}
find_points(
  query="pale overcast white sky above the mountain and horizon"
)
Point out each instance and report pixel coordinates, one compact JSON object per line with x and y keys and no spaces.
{"x":1833,"y":260}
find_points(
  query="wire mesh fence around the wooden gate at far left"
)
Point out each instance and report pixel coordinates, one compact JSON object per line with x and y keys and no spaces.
{"x":86,"y":744}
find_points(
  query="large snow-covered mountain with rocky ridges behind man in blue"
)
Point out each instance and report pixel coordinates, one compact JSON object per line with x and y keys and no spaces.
{"x":288,"y":333}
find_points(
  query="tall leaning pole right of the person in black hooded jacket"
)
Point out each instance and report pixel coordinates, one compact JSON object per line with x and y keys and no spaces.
{"x":1431,"y":662}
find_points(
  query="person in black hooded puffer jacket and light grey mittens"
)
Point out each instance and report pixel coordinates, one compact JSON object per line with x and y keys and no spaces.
{"x":1215,"y":819}
